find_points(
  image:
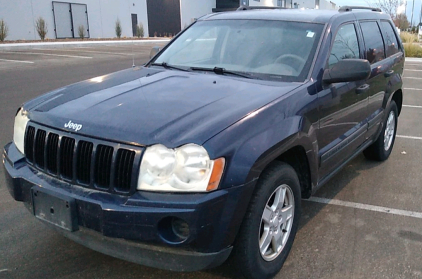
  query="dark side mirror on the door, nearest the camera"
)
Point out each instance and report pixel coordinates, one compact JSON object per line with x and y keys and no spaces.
{"x":347,"y":70}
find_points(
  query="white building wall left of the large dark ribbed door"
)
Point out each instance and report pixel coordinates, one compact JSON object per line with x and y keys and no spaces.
{"x":20,"y":16}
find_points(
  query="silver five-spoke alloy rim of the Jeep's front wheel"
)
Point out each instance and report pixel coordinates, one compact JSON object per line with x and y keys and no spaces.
{"x":276,"y":222}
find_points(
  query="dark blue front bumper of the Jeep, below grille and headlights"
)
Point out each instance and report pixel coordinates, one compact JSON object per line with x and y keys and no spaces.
{"x":131,"y":227}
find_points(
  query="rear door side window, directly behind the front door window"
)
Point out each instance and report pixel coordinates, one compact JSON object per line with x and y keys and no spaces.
{"x":373,"y":41}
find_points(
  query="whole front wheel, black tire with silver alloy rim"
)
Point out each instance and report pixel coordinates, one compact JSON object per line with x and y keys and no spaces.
{"x":270,"y":224}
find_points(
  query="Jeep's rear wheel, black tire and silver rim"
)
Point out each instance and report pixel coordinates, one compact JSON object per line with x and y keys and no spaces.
{"x":381,"y":149}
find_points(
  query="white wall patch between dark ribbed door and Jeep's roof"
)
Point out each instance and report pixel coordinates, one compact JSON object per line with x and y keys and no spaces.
{"x":192,"y":9}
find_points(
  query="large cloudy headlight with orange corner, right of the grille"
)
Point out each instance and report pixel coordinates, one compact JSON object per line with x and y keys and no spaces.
{"x":187,"y":168}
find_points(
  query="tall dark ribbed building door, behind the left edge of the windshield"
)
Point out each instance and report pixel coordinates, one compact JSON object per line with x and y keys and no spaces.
{"x":163,"y":17}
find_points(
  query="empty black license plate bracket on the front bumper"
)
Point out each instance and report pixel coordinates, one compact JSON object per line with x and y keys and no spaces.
{"x":56,"y":209}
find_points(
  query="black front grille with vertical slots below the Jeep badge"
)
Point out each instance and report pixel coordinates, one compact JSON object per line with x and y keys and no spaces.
{"x":84,"y":161}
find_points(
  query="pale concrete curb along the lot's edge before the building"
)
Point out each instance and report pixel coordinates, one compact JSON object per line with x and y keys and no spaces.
{"x":23,"y":46}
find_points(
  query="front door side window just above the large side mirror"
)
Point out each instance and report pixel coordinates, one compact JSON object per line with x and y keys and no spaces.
{"x":345,"y":45}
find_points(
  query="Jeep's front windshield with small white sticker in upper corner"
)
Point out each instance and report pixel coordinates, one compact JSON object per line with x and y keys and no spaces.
{"x":264,"y":49}
